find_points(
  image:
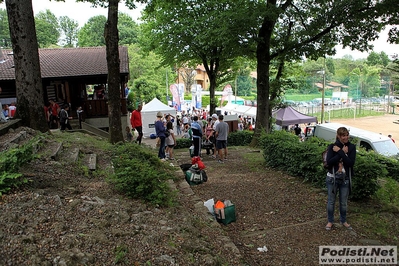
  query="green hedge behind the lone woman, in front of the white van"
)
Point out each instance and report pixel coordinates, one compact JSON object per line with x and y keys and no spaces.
{"x":283,"y":151}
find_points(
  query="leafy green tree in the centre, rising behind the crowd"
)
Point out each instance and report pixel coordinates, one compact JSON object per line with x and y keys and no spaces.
{"x":193,"y":32}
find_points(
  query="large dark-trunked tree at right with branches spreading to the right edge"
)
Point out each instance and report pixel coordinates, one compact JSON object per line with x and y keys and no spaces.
{"x":290,"y":30}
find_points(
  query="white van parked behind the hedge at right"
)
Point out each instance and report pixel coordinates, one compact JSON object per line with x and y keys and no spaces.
{"x":366,"y":139}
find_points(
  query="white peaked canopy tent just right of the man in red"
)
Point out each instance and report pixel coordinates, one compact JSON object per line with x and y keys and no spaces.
{"x":149,"y":115}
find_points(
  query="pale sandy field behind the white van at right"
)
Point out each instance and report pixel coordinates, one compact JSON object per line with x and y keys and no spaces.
{"x":380,"y":124}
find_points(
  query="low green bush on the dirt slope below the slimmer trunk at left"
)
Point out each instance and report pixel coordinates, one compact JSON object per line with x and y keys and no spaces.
{"x":140,"y":174}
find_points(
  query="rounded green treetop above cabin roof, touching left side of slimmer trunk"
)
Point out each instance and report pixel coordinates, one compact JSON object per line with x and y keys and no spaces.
{"x":92,"y":33}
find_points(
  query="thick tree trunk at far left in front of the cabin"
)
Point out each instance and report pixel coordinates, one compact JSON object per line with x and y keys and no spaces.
{"x":28,"y":79}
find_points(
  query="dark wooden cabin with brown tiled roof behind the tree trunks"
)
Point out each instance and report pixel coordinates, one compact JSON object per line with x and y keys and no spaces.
{"x":77,"y":76}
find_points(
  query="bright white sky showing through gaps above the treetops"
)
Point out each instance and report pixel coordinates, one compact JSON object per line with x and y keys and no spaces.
{"x":81,"y":12}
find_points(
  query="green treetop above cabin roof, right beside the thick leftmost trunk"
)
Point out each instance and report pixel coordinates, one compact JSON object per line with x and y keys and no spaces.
{"x":47,"y":29}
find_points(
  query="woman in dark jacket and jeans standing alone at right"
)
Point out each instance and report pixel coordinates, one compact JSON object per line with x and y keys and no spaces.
{"x":340,"y":160}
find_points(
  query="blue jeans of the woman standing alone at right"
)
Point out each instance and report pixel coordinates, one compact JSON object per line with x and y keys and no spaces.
{"x":343,"y":189}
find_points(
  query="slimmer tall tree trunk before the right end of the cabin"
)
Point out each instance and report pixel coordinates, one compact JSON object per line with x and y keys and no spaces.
{"x":114,"y":82}
